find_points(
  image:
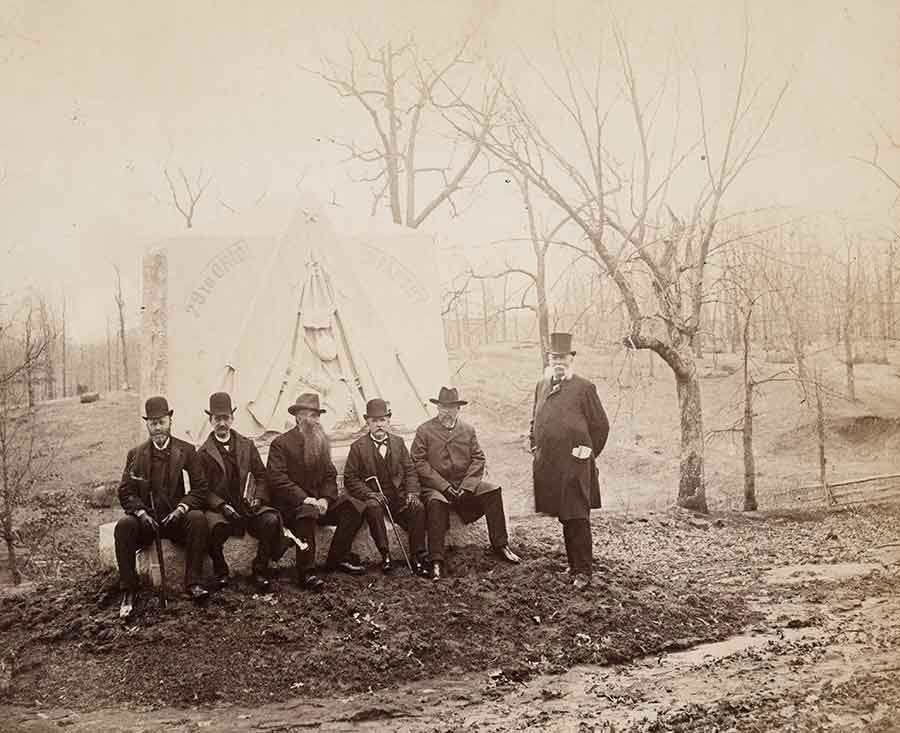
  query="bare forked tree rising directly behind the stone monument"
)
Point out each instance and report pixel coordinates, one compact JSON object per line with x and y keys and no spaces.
{"x":396,"y":86}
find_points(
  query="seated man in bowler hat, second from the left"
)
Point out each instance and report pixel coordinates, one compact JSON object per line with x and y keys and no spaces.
{"x":237,"y":494}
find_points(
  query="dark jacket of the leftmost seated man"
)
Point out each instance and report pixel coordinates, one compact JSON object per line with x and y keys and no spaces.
{"x":134,"y":495}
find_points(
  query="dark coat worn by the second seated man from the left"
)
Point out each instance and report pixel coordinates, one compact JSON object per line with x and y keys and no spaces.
{"x":249,"y":462}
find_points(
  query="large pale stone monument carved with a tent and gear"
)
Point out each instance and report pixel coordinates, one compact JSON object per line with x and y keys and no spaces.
{"x":272,"y":306}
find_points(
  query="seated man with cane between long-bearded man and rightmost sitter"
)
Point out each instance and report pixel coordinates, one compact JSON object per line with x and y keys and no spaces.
{"x":380,"y":473}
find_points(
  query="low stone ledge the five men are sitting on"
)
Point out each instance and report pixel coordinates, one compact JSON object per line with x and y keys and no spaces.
{"x":240,"y":551}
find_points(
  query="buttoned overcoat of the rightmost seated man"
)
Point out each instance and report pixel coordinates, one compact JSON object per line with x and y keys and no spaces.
{"x":446,"y":457}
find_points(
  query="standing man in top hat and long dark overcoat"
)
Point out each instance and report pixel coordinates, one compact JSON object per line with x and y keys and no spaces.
{"x":568,"y":431}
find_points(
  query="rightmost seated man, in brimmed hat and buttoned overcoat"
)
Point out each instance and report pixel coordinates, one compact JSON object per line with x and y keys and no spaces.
{"x":450,"y":464}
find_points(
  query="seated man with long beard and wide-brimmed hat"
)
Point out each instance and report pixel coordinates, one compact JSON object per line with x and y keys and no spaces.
{"x":302,"y":483}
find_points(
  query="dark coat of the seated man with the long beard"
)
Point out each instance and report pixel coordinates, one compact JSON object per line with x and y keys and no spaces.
{"x":290,"y":480}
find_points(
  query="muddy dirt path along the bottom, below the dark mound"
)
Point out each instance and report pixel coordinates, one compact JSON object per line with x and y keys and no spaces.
{"x":825,"y":657}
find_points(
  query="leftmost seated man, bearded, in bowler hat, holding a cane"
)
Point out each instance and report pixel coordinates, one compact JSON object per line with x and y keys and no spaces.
{"x":153,"y":479}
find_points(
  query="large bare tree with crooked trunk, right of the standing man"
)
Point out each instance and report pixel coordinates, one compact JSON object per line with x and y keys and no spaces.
{"x":618,"y":208}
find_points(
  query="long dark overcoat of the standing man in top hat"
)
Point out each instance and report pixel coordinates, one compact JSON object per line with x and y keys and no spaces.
{"x":565,"y":416}
